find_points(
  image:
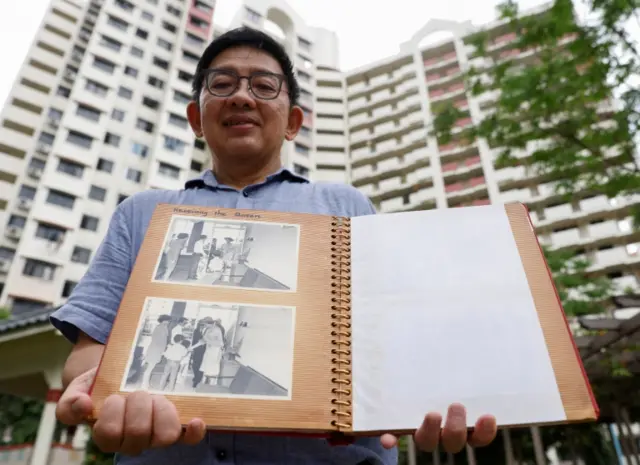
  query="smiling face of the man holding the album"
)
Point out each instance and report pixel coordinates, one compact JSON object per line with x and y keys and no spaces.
{"x":243,"y":125}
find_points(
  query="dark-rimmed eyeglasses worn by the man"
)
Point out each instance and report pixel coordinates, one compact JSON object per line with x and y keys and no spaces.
{"x":263,"y":85}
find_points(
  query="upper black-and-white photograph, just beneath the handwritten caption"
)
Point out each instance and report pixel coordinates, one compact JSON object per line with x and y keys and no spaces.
{"x":216,"y":252}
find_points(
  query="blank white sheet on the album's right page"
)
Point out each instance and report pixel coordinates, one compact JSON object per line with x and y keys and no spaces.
{"x":442,"y":313}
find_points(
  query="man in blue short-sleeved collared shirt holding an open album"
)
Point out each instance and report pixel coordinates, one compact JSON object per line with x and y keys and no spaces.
{"x":245,"y":106}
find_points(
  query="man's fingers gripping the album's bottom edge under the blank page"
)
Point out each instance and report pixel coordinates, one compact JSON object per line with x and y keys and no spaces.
{"x":453,"y":437}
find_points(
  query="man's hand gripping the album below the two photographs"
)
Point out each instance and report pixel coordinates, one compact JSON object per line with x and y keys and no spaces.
{"x":128,"y":425}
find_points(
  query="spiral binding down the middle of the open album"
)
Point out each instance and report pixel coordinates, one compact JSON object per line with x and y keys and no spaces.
{"x":341,"y":322}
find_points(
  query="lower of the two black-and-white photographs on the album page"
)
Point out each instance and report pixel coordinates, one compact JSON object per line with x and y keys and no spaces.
{"x":212,"y":349}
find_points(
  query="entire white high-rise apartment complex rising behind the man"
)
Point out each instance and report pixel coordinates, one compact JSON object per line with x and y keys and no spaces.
{"x":97,"y":113}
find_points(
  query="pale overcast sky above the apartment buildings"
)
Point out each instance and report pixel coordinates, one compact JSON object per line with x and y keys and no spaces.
{"x":365,"y":33}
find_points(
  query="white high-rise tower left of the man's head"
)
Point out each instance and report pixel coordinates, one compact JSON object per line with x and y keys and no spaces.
{"x":96,"y":114}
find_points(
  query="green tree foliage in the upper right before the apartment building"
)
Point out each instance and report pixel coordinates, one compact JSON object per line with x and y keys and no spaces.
{"x":551,"y":107}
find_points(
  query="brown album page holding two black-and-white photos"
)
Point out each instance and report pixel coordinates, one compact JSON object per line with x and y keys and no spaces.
{"x":227,"y":313}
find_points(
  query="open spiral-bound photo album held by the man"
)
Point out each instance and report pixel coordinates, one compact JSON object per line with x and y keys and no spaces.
{"x":287,"y":322}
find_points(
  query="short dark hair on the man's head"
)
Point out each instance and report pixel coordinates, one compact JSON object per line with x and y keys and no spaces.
{"x":247,"y":37}
